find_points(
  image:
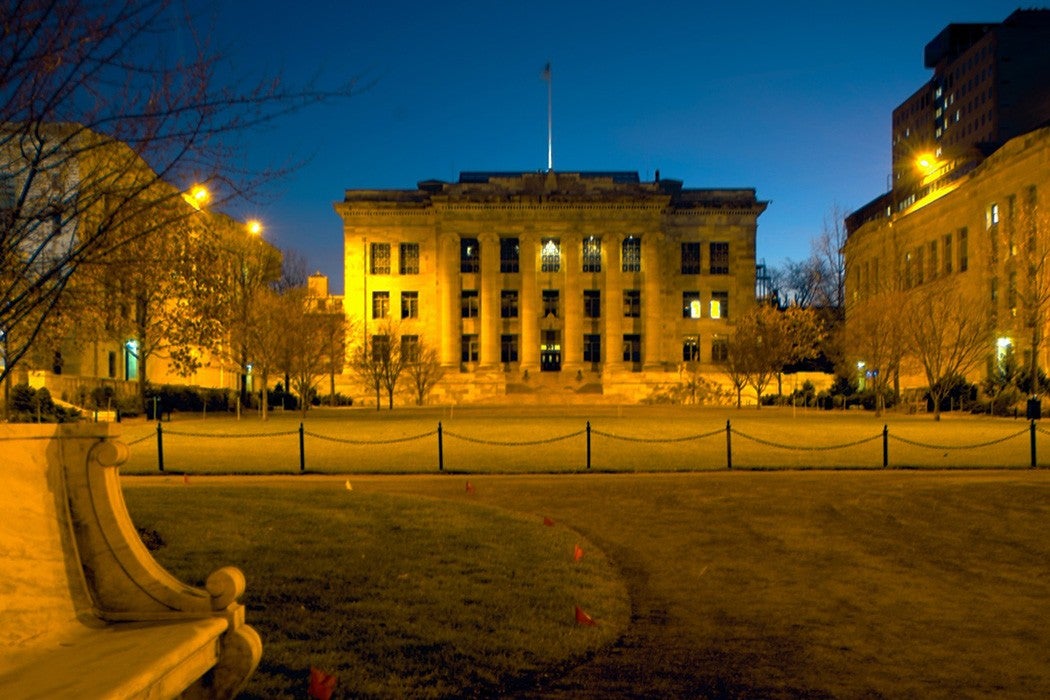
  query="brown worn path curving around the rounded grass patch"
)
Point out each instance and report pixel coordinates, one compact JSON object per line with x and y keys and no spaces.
{"x":806,"y":584}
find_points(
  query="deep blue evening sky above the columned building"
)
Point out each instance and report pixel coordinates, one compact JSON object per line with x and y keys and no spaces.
{"x":791,"y":99}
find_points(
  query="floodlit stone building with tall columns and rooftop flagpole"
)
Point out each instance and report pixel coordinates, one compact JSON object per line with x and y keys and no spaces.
{"x":552,"y":284}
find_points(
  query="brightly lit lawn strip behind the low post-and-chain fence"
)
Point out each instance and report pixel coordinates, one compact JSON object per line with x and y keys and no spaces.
{"x":535,"y":439}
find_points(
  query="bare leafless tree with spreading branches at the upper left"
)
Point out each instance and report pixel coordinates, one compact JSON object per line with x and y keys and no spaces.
{"x":97,"y":117}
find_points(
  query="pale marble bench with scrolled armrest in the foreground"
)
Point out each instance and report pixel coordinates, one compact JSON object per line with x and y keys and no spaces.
{"x":86,"y":611}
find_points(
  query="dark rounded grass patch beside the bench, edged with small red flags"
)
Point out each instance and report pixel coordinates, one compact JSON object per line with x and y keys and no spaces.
{"x":397,"y":597}
